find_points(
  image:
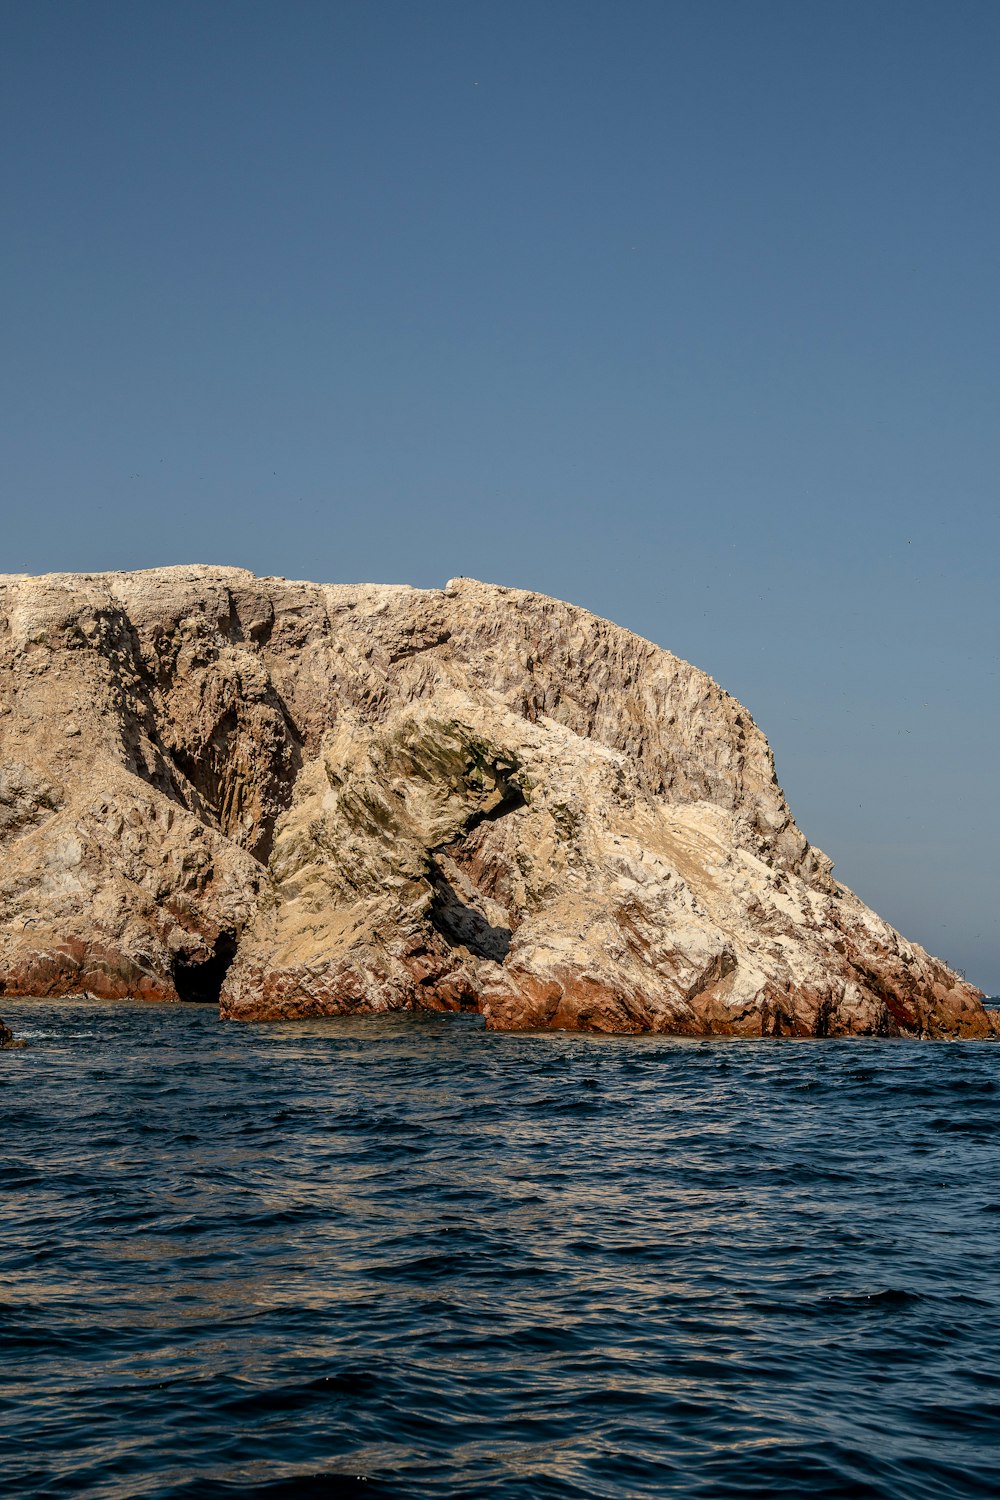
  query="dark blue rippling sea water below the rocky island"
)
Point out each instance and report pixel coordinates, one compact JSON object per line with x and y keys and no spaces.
{"x":407,"y":1258}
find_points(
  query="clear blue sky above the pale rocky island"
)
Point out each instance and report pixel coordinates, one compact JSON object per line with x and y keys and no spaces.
{"x":687,"y":313}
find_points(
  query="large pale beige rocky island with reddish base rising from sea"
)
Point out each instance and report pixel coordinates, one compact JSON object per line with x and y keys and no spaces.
{"x":311,"y":800}
